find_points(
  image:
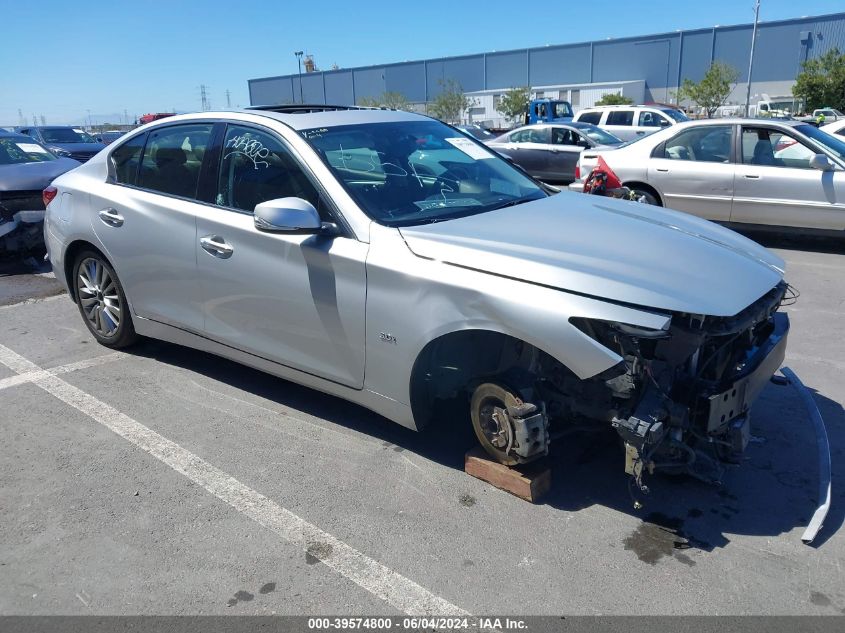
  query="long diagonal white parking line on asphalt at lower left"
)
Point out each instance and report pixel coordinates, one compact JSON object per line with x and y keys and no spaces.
{"x":399,"y":592}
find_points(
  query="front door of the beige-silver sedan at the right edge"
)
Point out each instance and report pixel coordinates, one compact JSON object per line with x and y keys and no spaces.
{"x":775,"y":183}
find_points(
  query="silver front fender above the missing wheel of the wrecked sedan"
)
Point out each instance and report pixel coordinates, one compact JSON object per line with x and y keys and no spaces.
{"x":412,"y":301}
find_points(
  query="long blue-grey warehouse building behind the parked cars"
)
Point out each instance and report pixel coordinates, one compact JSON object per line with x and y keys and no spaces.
{"x":646,"y":68}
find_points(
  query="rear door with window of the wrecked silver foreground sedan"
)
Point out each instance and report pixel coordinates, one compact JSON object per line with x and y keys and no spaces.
{"x":145,"y":217}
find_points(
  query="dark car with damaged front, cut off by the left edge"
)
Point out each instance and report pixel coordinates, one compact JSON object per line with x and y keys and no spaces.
{"x":26,"y":169}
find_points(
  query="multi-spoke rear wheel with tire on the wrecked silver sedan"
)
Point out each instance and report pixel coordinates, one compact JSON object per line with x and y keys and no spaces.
{"x":101,"y":301}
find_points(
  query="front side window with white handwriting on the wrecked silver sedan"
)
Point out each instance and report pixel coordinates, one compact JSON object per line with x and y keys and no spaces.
{"x":255,"y":167}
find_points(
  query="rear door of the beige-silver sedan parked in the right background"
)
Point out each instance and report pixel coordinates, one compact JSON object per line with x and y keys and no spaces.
{"x":694,"y":171}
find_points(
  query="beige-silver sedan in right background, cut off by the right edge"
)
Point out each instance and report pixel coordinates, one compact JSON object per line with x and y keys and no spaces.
{"x":740,"y":171}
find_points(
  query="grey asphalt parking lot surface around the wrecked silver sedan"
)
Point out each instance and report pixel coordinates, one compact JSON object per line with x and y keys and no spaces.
{"x":168,"y":481}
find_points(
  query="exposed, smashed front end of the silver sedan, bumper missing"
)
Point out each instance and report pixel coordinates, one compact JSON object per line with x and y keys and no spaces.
{"x":681,"y":398}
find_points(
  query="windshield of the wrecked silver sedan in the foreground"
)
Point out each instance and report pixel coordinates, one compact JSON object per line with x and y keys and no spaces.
{"x":418,"y":172}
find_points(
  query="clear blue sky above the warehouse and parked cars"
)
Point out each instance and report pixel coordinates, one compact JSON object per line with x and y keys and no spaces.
{"x":61,"y":59}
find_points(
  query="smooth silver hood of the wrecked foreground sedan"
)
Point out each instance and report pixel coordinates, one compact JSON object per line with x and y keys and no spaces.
{"x":613,"y":249}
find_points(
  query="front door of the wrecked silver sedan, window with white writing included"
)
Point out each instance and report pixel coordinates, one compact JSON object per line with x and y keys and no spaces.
{"x":294,"y":299}
